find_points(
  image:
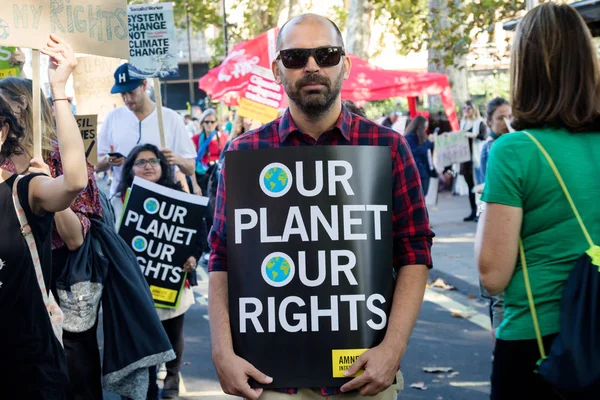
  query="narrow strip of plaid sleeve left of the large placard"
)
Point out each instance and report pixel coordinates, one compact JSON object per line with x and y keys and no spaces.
{"x":217,"y":238}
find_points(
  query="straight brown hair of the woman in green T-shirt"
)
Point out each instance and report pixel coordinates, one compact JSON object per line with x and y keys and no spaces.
{"x":554,"y":71}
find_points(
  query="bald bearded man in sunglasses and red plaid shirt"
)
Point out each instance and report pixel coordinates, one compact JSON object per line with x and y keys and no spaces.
{"x":312,"y":65}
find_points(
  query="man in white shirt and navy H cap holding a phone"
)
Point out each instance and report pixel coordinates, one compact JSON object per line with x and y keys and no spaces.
{"x":137,"y":123}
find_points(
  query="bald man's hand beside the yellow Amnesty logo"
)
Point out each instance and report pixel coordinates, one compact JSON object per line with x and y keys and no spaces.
{"x":380,"y":365}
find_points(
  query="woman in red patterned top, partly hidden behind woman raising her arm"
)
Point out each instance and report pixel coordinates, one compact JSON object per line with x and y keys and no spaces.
{"x":69,"y":230}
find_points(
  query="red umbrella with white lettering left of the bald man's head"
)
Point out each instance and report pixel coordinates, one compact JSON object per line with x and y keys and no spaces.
{"x":228,"y":80}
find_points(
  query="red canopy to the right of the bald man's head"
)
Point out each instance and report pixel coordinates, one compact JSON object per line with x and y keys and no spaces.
{"x":368,"y":83}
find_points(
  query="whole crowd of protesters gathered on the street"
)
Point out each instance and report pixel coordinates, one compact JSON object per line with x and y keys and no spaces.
{"x":52,"y":209}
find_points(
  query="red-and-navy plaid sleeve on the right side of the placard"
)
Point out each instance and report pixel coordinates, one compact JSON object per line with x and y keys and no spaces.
{"x":412,"y":235}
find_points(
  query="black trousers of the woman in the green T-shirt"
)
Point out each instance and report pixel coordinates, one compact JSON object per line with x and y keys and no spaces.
{"x":513,"y":376}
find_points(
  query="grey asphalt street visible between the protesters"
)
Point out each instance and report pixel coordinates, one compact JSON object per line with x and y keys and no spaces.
{"x":452,"y":330}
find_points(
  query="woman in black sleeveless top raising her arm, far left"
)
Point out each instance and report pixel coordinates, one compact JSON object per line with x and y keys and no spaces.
{"x":30,"y":345}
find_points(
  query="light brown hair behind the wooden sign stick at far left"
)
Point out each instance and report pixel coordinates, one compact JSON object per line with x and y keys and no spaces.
{"x":14,"y":88}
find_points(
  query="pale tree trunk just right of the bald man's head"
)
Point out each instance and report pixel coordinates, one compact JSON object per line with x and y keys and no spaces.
{"x":358,"y":36}
